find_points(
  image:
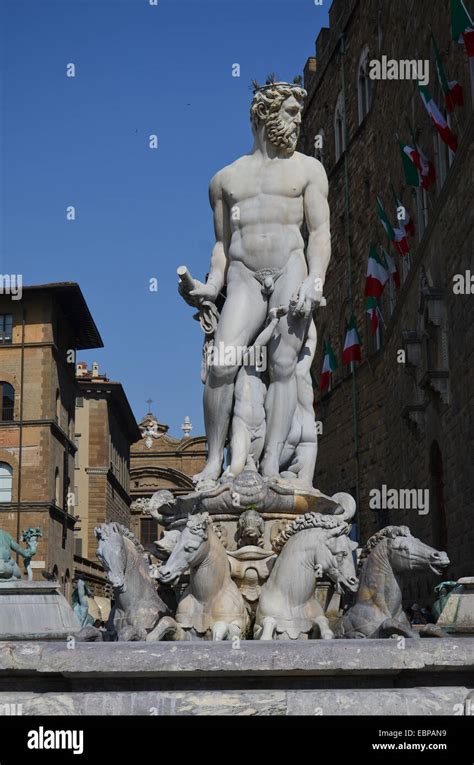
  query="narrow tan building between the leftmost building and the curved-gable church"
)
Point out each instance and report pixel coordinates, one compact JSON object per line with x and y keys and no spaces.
{"x":105,"y":429}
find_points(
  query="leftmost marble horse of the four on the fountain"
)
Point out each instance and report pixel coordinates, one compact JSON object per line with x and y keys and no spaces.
{"x":138,"y":606}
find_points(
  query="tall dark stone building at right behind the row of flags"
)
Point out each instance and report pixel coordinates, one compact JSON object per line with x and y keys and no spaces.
{"x":402,"y":425}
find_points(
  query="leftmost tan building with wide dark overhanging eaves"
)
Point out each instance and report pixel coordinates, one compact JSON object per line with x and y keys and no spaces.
{"x":39,"y":335}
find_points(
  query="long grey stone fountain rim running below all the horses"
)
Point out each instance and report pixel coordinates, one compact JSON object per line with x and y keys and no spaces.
{"x":316,"y":677}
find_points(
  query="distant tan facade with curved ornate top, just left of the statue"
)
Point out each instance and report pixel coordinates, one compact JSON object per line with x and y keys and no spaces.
{"x":159,"y":461}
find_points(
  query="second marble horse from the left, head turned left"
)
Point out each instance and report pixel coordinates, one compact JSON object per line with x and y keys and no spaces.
{"x":211,"y":607}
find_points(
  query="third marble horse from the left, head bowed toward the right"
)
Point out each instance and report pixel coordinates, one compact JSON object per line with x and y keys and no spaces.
{"x":311,"y":547}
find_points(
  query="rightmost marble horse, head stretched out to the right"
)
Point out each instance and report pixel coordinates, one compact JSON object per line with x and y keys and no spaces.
{"x":377,"y":611}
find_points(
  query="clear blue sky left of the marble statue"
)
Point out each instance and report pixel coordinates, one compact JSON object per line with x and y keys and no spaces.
{"x":140,"y":213}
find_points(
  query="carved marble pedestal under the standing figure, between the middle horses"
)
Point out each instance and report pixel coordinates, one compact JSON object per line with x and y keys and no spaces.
{"x":249,"y":513}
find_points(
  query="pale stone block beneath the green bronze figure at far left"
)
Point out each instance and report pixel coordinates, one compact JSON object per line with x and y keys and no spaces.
{"x":35,"y":611}
